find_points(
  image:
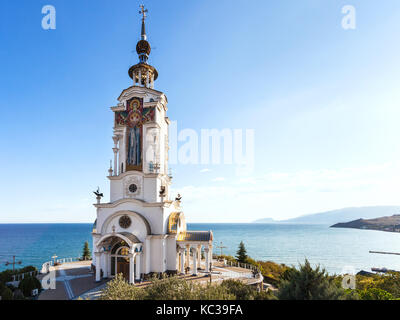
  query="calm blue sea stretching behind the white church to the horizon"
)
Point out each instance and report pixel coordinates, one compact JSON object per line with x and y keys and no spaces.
{"x":337,"y":250}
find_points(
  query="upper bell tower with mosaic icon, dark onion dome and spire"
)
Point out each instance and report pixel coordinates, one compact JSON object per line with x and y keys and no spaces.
{"x":140,"y":169}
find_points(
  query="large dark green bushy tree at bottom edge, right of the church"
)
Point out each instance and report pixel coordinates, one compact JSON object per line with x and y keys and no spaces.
{"x":309,"y":284}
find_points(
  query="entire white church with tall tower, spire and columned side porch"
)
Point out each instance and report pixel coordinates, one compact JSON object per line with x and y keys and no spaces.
{"x":141,"y":231}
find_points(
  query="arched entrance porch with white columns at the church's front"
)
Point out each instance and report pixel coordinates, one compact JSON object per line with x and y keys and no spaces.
{"x":119,"y":253}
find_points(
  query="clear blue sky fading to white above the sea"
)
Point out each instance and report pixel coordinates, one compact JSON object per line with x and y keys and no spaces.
{"x":323,"y":102}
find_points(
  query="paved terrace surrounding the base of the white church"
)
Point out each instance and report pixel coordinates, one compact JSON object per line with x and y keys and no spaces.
{"x":75,"y":280}
